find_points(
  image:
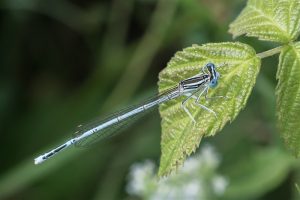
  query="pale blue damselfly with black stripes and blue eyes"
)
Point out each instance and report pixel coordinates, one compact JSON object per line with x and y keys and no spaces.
{"x":198,"y":84}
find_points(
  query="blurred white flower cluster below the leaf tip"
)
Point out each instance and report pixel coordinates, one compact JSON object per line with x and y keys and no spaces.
{"x":197,"y":179}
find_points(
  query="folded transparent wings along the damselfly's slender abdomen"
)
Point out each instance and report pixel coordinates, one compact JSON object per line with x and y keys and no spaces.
{"x":114,"y":128}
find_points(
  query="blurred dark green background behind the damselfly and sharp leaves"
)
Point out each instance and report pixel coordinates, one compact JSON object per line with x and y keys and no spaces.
{"x":67,"y":62}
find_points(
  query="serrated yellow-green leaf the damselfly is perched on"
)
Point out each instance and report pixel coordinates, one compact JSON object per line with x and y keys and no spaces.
{"x":180,"y":136}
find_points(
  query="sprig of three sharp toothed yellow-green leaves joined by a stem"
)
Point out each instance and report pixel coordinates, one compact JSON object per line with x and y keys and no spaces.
{"x":276,"y":21}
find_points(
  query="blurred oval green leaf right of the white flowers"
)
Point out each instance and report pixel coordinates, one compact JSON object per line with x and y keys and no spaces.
{"x":257,"y":173}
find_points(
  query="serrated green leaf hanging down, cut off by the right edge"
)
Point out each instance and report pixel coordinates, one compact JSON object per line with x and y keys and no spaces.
{"x":288,"y":96}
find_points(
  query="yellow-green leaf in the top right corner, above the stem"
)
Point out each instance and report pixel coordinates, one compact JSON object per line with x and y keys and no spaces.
{"x":271,"y":20}
